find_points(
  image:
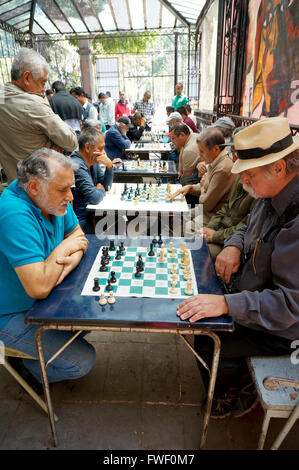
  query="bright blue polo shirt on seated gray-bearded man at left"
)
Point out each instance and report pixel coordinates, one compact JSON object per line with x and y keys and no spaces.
{"x":25,"y":237}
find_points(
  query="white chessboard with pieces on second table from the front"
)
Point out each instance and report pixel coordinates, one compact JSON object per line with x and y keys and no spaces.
{"x":142,"y":197}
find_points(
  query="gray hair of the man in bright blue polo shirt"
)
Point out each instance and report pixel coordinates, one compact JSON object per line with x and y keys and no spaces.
{"x":38,"y":166}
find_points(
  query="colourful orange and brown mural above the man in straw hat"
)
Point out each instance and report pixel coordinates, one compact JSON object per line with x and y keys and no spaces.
{"x":271,"y":79}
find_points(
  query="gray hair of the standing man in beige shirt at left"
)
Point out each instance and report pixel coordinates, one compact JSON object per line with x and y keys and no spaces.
{"x":28,"y":60}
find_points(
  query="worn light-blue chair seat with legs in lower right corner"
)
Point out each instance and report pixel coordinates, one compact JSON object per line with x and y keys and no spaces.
{"x":277,"y":383}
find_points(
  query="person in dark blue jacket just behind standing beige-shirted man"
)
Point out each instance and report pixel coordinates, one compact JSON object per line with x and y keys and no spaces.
{"x":66,"y":106}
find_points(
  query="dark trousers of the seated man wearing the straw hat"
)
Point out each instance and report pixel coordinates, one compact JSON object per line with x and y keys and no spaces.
{"x":235,"y":348}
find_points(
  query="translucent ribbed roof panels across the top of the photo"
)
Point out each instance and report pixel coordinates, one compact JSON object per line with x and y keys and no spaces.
{"x":98,"y":16}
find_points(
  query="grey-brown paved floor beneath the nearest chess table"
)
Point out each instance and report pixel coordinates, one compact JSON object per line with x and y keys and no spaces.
{"x":144,"y":393}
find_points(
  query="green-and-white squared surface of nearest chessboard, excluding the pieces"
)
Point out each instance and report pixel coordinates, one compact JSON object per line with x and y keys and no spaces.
{"x":155,"y":280}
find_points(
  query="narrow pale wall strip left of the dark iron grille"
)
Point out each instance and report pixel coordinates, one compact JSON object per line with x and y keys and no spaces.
{"x":208,"y":58}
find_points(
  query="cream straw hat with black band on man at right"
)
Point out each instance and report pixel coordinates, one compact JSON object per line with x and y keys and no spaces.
{"x":264,"y":142}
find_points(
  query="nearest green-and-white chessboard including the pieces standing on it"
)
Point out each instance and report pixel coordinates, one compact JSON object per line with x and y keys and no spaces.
{"x":157,"y":271}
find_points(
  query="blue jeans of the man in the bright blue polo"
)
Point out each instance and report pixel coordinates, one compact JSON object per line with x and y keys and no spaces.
{"x":74,"y":362}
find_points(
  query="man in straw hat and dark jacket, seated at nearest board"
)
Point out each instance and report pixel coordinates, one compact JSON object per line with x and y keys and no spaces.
{"x":258,"y":266}
